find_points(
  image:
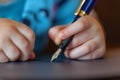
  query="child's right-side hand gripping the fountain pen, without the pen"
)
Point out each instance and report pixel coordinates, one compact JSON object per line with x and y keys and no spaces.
{"x":88,"y":41}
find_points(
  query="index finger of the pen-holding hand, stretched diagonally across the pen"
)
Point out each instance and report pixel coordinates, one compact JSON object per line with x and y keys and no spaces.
{"x":78,"y":26}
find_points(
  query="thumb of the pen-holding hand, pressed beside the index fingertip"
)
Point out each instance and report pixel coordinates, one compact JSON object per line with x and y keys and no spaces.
{"x":53,"y":34}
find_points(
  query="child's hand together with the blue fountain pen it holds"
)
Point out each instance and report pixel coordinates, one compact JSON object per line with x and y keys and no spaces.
{"x":83,"y":39}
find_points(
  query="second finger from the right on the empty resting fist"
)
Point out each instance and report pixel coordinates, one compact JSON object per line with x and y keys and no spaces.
{"x":23,"y":45}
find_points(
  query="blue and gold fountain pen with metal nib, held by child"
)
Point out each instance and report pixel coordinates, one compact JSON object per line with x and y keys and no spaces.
{"x":83,"y":10}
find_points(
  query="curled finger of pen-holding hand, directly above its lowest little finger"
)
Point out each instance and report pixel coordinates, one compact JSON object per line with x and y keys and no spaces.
{"x":82,"y":50}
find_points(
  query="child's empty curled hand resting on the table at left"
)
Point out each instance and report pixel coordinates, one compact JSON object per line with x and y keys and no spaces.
{"x":16,"y":41}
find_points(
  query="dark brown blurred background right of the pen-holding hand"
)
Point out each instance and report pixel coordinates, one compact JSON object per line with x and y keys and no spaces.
{"x":109,"y":14}
